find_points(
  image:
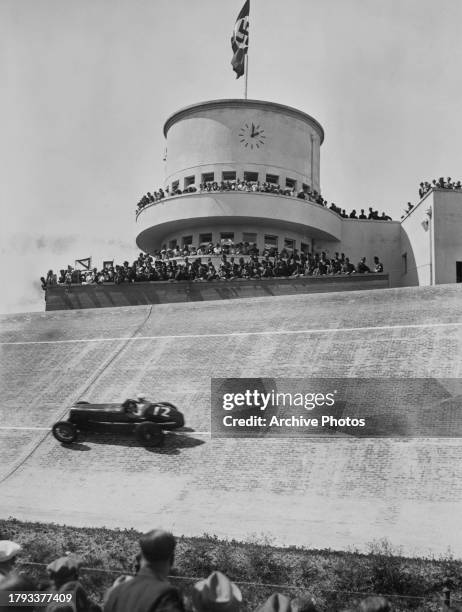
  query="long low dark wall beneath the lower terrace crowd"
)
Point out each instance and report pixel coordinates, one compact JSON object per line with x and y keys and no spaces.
{"x":107,"y":295}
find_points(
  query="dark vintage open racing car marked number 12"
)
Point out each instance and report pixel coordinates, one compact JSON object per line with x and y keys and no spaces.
{"x":148,"y":423}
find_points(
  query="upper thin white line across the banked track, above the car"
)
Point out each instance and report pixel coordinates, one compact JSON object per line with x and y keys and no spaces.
{"x":327,"y":330}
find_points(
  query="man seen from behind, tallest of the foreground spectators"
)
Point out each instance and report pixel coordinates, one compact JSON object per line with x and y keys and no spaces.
{"x":149,"y":590}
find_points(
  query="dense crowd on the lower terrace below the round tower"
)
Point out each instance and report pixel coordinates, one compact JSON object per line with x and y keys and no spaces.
{"x":227,"y":267}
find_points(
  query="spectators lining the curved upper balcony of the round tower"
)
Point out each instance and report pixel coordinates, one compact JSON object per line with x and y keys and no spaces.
{"x":256,"y":186}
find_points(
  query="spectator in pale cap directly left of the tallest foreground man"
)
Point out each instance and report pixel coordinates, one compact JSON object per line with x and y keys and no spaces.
{"x":64,"y":577}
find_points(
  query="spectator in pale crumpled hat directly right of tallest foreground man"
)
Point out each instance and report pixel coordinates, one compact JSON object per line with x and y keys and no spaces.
{"x":216,"y":594}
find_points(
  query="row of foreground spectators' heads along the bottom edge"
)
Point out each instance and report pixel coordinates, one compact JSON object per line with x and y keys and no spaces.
{"x":148,"y":589}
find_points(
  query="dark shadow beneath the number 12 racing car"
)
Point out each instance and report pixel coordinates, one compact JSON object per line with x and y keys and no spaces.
{"x":174,"y":443}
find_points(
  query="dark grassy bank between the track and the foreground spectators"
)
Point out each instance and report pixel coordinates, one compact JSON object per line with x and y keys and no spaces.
{"x":335,"y":579}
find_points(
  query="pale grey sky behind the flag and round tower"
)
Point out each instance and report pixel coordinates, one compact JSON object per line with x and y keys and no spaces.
{"x":88,"y":85}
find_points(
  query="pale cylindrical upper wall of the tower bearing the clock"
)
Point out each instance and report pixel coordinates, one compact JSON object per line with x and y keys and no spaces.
{"x":208,"y":138}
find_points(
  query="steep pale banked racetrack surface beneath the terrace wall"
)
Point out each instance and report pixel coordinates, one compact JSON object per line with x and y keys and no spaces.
{"x":321,"y":493}
